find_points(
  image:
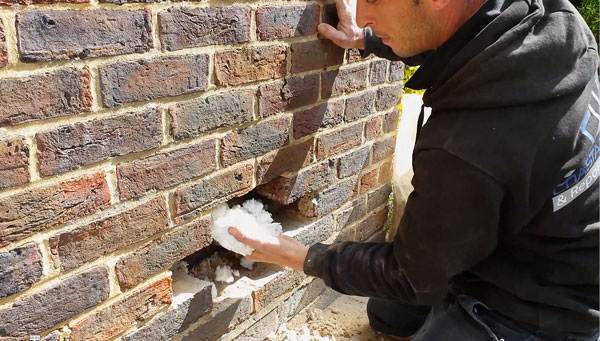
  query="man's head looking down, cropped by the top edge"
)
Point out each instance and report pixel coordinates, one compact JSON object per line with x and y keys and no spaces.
{"x":410,"y":27}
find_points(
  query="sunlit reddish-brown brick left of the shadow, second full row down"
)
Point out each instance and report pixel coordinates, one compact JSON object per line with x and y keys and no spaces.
{"x":250,"y":64}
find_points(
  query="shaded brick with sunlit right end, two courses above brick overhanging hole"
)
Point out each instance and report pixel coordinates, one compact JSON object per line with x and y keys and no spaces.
{"x":324,"y":115}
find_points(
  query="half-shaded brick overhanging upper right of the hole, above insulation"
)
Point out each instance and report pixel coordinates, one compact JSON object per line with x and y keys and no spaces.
{"x":287,"y":190}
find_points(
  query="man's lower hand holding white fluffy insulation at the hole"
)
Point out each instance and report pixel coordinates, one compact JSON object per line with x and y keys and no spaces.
{"x":281,"y":250}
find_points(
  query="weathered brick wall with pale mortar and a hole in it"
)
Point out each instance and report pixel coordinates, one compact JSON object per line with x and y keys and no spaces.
{"x":123,"y":123}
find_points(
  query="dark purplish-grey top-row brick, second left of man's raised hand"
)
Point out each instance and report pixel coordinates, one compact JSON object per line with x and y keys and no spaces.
{"x":190,"y":27}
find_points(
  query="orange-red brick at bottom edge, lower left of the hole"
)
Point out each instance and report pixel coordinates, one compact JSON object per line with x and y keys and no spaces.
{"x":120,"y":315}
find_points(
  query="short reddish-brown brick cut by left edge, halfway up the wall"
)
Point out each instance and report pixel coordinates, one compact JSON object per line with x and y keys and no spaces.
{"x":14,"y":162}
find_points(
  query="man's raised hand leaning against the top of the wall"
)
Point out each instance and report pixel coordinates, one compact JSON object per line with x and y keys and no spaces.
{"x":347,"y":35}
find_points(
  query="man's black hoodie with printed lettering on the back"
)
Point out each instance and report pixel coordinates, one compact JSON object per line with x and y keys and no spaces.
{"x":505,"y":205}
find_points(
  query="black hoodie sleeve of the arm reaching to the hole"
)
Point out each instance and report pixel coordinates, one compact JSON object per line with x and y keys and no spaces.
{"x":450,"y":224}
